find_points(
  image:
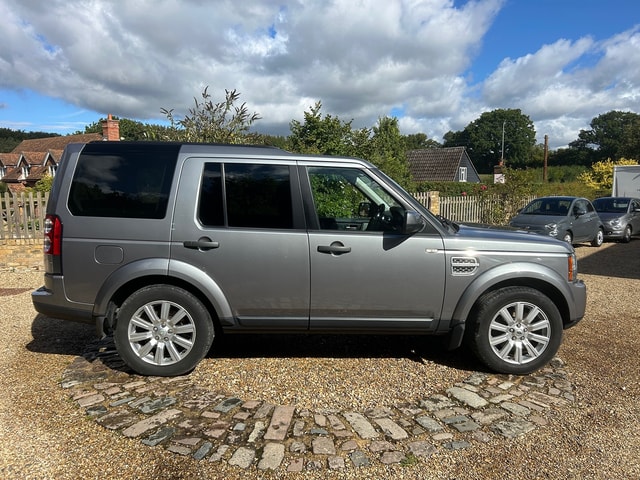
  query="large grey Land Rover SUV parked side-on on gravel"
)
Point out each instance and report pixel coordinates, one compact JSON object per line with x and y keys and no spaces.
{"x":167,"y":245}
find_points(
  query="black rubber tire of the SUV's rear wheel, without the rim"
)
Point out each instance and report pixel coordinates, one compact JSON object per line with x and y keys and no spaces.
{"x":199,"y":314}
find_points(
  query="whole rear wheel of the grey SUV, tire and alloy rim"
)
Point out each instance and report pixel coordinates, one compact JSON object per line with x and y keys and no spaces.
{"x":163,"y":330}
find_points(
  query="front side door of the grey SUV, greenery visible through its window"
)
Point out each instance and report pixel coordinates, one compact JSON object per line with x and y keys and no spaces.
{"x":366,"y":275}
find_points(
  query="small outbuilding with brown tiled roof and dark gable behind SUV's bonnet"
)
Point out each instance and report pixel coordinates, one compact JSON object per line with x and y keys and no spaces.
{"x":450,"y":164}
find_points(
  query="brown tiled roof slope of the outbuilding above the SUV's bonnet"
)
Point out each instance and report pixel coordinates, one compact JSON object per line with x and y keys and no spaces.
{"x":435,"y":164}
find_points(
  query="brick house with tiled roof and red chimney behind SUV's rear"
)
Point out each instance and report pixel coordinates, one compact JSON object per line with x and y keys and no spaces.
{"x":33,"y":159}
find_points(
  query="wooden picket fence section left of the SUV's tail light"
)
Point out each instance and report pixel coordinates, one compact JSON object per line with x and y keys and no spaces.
{"x":23,"y":215}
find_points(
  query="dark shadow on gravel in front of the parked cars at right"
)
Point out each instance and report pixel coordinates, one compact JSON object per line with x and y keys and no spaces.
{"x":621,"y":260}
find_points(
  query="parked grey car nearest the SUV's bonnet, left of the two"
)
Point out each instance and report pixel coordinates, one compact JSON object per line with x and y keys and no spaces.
{"x":572,"y":219}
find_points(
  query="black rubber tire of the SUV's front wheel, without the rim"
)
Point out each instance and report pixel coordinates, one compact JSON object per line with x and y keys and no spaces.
{"x":493,"y":302}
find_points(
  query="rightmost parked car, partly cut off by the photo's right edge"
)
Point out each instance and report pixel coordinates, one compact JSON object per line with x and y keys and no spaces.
{"x":620,"y":216}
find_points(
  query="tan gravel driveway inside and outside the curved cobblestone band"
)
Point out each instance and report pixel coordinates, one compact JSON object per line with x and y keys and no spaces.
{"x":45,"y":435}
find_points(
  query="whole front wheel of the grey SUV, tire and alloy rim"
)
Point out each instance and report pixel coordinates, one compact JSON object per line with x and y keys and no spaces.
{"x":517,"y":330}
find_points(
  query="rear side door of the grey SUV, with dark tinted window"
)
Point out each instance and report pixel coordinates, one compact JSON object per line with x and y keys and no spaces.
{"x":237,"y":221}
